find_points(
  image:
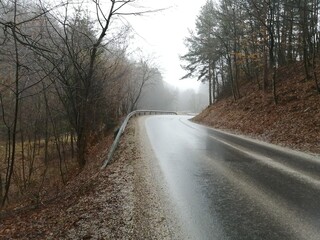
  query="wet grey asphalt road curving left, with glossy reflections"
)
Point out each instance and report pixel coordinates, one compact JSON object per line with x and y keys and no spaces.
{"x":226,"y":187}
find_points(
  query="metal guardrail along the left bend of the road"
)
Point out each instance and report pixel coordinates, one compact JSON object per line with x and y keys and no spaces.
{"x":123,"y":127}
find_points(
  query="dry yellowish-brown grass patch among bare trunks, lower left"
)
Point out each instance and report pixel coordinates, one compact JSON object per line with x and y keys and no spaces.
{"x":33,"y":180}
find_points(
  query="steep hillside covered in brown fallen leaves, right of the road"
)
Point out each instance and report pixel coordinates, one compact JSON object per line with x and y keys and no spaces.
{"x":294,"y":122}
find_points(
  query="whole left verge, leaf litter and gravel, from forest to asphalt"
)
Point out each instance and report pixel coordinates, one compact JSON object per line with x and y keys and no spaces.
{"x":119,"y":202}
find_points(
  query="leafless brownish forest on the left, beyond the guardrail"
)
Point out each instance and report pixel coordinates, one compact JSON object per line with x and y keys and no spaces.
{"x":67,"y":77}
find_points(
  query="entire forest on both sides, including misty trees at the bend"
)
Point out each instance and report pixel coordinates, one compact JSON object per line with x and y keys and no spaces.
{"x":69,"y":74}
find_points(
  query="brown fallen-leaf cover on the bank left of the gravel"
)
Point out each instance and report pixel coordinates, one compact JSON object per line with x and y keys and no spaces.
{"x":75,"y":201}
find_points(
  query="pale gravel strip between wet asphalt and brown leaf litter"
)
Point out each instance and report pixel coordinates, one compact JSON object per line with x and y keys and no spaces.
{"x":129,"y":202}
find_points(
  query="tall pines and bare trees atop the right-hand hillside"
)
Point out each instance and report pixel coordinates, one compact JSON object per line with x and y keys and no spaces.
{"x":250,"y":40}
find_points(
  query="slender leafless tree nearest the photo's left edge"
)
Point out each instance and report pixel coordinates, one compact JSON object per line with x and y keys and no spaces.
{"x":19,"y":44}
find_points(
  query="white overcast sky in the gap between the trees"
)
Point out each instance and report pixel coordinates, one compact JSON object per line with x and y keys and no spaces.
{"x":162,"y":34}
